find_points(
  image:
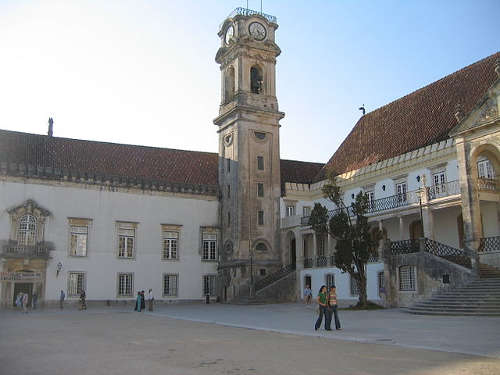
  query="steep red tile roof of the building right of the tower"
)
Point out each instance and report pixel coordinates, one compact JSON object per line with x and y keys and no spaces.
{"x":416,"y":120}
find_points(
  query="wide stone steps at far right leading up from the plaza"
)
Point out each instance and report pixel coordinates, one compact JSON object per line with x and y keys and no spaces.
{"x":480,"y":297}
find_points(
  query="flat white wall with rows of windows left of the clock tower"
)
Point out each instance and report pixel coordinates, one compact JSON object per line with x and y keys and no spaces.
{"x":105,"y":208}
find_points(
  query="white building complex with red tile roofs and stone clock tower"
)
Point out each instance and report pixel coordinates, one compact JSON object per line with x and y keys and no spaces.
{"x":115,"y":219}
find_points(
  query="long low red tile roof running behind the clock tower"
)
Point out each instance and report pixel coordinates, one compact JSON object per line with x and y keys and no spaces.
{"x":93,"y":158}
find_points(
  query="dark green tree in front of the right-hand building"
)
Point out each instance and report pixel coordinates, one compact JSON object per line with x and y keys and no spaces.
{"x":348,"y":225}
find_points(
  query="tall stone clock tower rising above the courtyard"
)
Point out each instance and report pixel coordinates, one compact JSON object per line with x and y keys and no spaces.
{"x":249,"y":158}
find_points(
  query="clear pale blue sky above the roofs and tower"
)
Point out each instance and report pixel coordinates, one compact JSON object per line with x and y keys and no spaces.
{"x":143,"y":72}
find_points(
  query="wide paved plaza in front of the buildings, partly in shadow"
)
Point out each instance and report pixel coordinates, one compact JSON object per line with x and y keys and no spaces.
{"x":226,"y":339}
